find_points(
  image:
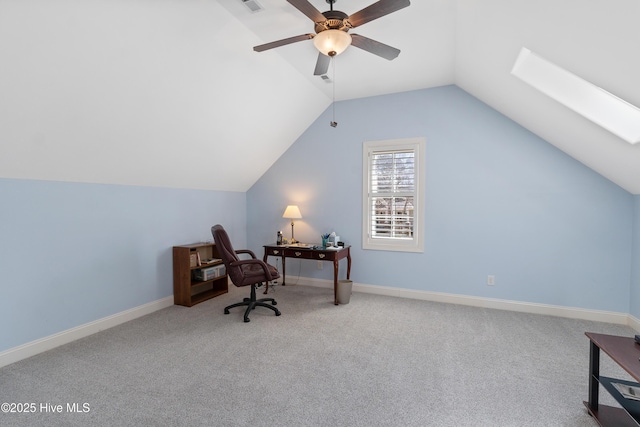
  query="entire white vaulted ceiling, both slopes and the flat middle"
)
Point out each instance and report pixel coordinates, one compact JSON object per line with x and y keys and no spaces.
{"x":169,"y":92}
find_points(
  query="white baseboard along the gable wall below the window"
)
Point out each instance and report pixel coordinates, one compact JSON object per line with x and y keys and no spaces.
{"x":498,"y":304}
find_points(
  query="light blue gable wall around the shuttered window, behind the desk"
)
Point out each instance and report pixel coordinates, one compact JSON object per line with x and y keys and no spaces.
{"x":499,"y":200}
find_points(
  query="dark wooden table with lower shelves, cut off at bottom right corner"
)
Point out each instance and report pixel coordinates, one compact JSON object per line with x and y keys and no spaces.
{"x":625,"y":352}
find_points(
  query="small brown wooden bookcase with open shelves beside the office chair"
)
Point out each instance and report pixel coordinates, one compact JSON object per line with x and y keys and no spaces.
{"x":191,"y":284}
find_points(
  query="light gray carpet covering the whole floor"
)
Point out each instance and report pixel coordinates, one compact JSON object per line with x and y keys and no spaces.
{"x":378,"y":361}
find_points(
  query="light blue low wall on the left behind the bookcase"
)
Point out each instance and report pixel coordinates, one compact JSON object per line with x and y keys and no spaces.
{"x":73,"y":253}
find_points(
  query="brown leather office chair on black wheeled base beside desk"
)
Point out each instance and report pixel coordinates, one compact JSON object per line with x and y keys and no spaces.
{"x":246,"y":272}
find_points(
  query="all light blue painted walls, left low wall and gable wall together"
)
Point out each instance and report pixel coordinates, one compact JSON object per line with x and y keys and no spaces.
{"x":499,"y":200}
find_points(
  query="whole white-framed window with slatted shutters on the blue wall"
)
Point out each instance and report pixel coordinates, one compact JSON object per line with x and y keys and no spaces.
{"x":392,"y":199}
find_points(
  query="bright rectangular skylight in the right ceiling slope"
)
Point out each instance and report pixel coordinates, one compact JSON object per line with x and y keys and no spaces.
{"x":596,"y":104}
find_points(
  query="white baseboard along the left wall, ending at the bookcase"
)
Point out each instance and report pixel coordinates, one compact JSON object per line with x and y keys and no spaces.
{"x":47,"y":343}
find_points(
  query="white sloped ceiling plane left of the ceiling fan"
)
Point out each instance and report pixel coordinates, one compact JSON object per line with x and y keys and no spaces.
{"x":143,"y":92}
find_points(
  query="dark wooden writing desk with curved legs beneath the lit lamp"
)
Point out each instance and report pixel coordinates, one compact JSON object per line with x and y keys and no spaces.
{"x":335,"y":256}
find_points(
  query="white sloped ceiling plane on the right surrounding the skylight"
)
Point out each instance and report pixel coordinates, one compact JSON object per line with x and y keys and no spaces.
{"x":594,"y":39}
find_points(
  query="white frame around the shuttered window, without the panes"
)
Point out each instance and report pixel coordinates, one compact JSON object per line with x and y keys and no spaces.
{"x":416,"y":242}
